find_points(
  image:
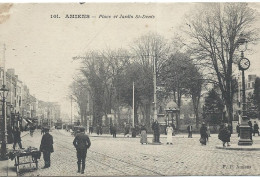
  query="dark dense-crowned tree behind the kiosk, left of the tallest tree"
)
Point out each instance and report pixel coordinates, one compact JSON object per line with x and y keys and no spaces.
{"x":181,"y":77}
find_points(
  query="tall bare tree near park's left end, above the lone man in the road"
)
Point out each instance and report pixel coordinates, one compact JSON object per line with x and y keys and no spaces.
{"x":97,"y":74}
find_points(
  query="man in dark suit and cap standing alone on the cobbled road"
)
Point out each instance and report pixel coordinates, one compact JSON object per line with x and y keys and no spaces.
{"x":81,"y":143}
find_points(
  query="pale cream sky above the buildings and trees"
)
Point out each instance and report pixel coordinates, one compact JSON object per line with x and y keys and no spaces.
{"x":41,"y":48}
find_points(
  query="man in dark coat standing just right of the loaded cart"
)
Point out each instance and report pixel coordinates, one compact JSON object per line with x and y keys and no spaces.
{"x":47,"y":147}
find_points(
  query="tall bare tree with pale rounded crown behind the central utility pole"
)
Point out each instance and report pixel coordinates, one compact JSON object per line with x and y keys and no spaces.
{"x":149,"y":49}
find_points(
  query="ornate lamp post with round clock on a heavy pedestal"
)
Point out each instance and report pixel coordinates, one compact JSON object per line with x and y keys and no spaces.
{"x":244,"y":63}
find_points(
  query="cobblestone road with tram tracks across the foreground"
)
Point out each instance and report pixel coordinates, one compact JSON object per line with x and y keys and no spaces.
{"x":127,"y":157}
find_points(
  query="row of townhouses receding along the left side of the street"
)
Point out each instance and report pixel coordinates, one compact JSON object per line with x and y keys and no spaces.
{"x":24,"y":109}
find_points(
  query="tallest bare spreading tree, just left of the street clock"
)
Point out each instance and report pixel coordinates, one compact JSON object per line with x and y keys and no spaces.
{"x":215,"y":29}
